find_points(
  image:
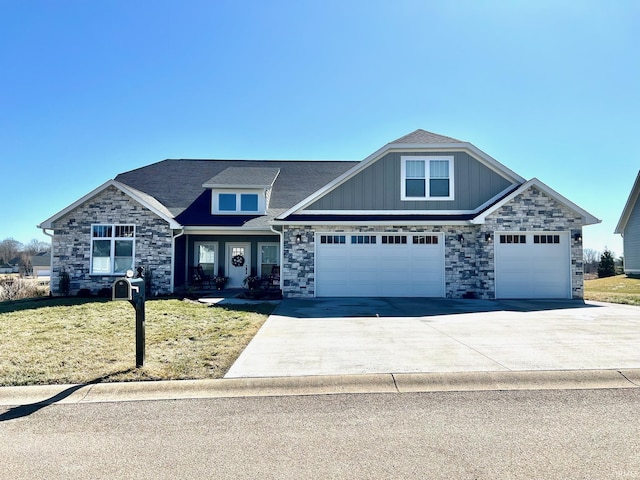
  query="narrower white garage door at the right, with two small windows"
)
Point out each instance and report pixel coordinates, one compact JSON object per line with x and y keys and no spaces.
{"x":532,"y":265}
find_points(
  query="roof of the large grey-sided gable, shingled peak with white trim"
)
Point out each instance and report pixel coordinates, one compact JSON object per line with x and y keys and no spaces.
{"x":419,"y":140}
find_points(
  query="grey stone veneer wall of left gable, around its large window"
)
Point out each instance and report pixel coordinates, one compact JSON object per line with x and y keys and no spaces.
{"x":71,"y":246}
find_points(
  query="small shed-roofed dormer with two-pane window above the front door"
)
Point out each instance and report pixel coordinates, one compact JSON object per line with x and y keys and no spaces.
{"x":241,"y":190}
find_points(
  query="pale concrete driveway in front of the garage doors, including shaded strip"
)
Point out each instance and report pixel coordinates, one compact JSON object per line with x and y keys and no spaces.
{"x":335,"y":336}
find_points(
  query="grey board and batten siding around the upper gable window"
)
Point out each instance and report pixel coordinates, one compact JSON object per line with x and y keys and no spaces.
{"x":377,"y":187}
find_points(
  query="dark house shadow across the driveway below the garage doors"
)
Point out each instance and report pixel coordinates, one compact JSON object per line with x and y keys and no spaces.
{"x":336,"y":307}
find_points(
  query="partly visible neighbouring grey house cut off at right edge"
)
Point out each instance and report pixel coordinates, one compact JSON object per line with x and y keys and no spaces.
{"x":629,"y":227}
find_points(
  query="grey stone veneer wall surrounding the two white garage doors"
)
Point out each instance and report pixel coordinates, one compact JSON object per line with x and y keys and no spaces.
{"x":469,"y":264}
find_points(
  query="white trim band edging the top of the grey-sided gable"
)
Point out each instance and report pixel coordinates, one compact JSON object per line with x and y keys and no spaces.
{"x":473,"y":151}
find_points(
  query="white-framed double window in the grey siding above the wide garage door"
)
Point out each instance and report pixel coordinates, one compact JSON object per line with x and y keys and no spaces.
{"x":427,"y":178}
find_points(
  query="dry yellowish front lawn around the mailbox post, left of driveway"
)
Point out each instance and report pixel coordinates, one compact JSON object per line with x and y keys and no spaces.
{"x":56,"y":341}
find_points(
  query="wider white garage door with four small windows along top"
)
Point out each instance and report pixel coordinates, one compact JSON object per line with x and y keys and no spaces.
{"x":379,"y":265}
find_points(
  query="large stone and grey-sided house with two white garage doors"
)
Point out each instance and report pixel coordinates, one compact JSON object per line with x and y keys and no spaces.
{"x":424,"y":216}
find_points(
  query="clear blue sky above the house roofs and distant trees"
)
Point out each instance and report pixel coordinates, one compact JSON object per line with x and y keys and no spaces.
{"x":89,"y":89}
